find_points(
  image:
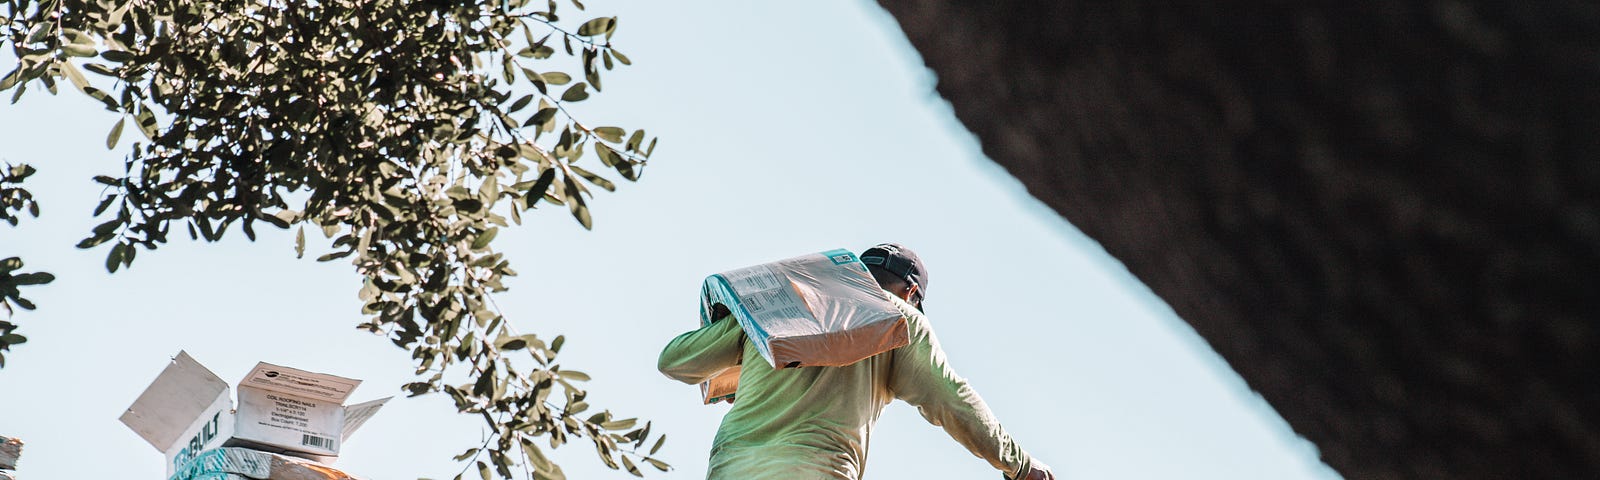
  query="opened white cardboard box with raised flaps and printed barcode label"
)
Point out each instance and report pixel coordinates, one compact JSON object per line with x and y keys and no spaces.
{"x":190,"y":410}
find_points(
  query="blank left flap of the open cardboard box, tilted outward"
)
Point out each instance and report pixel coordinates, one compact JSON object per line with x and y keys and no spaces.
{"x":174,"y":402}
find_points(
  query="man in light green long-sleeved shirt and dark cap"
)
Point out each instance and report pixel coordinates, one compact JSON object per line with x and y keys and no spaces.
{"x":814,"y":422}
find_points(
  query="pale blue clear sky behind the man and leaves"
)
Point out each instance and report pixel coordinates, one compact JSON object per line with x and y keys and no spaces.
{"x":786,"y":129}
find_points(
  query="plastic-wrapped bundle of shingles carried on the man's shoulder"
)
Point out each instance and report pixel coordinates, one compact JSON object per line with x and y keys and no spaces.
{"x":822,"y":310}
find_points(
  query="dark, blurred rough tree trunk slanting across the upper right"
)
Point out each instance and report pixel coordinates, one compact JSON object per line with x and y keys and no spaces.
{"x":1383,"y":215}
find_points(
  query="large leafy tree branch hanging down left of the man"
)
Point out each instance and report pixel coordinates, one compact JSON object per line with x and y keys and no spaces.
{"x":393,"y":129}
